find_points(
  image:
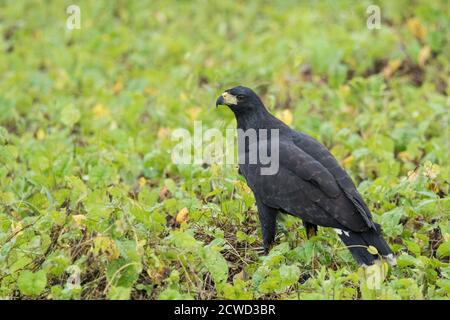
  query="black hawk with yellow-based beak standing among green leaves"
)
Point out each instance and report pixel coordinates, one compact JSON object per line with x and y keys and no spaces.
{"x":309,"y":184}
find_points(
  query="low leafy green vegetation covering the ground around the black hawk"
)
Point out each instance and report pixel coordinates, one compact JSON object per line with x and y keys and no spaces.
{"x":91,"y":206}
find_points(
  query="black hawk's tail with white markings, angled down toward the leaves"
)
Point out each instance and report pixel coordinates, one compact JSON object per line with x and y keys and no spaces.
{"x":359,"y":242}
